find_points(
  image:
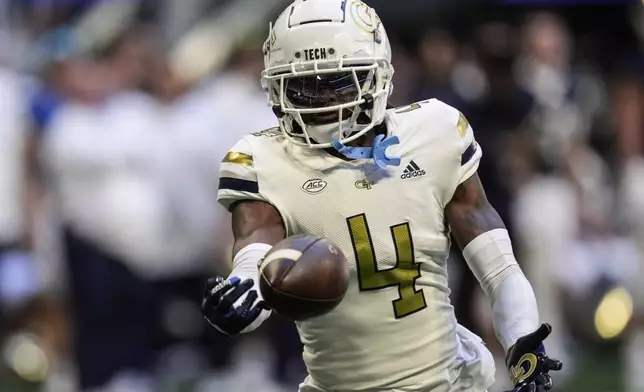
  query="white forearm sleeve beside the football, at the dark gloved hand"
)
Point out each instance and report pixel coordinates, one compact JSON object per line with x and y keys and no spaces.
{"x":246,"y":266}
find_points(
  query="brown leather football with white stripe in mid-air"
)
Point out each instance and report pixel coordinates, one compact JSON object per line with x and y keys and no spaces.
{"x":303,"y":277}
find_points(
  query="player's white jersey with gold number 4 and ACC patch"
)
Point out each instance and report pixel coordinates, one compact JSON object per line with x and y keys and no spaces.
{"x":395,"y":327}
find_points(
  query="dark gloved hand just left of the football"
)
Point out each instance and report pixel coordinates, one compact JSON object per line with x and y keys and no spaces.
{"x":232,"y":306}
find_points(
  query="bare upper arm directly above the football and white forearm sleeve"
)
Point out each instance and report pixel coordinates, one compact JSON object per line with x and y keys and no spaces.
{"x":256,"y":222}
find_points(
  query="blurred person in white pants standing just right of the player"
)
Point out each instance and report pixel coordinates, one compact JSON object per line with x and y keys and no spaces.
{"x":565,"y":199}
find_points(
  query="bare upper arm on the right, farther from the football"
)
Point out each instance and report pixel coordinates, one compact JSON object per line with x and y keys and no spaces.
{"x":469,"y":213}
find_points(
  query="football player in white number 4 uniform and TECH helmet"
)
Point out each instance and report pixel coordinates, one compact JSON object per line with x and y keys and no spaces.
{"x":387,"y":186}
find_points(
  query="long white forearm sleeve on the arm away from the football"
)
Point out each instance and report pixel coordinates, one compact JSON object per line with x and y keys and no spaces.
{"x":514,"y":305}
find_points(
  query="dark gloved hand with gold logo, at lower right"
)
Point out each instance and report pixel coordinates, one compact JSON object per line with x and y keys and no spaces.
{"x":528,"y":363}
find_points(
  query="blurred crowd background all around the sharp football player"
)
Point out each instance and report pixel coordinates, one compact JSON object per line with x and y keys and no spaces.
{"x":114,"y":116}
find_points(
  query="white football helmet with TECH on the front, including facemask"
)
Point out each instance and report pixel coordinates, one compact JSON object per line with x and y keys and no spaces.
{"x":327,"y":71}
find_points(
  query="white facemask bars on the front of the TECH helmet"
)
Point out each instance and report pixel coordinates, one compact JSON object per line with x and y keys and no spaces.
{"x":321,"y":101}
